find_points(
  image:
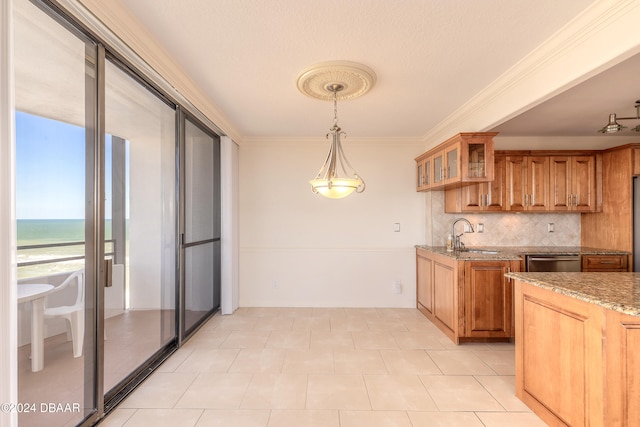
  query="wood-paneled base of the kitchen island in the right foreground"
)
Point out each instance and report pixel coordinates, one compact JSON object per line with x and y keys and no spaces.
{"x":577,"y":363}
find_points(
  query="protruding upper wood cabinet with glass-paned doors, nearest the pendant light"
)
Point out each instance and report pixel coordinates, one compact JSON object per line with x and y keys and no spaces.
{"x":464,"y":158}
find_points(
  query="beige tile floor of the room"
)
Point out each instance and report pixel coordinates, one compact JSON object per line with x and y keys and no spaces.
{"x":333,"y":367}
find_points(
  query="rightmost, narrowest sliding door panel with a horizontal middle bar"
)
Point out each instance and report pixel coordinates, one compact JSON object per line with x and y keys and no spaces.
{"x":200,"y":249}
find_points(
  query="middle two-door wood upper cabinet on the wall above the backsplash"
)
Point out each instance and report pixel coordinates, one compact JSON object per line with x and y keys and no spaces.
{"x":527,"y":183}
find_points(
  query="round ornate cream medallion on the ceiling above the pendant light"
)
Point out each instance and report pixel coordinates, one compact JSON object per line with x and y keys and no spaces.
{"x":356,"y":80}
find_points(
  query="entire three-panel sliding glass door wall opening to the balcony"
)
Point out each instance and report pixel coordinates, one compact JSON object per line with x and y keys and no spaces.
{"x":118,"y":219}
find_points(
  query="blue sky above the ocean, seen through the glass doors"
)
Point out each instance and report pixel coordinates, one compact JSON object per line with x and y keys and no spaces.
{"x":50,"y":169}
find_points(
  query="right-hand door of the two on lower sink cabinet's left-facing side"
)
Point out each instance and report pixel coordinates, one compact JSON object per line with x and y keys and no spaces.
{"x":444,"y":304}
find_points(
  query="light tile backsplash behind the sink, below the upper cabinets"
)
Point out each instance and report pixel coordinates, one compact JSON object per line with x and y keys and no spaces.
{"x":501,"y":229}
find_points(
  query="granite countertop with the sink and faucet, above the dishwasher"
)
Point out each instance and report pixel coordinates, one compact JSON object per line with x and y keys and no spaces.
{"x":516,"y":252}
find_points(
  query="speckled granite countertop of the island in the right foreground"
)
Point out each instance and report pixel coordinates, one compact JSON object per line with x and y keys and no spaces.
{"x":615,"y":291}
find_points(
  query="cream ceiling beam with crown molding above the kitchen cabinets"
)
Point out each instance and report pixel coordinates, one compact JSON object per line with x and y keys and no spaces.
{"x":593,"y":41}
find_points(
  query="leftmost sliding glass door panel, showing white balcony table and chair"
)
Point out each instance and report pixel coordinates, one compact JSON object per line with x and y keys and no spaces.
{"x":56,"y":145}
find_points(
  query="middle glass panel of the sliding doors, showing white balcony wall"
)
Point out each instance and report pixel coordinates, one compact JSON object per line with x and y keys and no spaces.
{"x":139,"y":223}
